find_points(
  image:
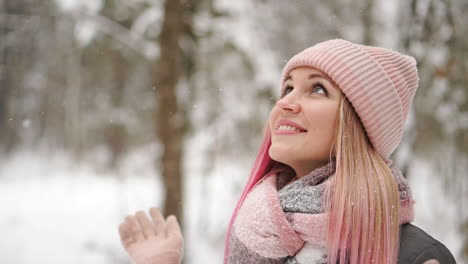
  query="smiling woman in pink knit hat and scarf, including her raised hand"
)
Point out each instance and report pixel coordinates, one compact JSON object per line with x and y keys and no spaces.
{"x":321,"y":190}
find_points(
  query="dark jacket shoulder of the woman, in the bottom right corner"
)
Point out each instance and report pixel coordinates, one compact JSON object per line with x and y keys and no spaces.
{"x":416,"y":247}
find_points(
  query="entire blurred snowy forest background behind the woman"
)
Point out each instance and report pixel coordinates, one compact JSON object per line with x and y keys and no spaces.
{"x":112,"y":106}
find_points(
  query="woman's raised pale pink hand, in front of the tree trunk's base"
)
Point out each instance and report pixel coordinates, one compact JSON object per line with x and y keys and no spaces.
{"x":152,"y":241}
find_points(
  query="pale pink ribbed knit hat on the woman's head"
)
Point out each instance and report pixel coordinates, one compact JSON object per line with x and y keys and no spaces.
{"x":379,"y":83}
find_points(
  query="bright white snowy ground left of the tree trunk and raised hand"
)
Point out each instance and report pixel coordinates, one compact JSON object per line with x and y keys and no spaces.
{"x":56,"y":211}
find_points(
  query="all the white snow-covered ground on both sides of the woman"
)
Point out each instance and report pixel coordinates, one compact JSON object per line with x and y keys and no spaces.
{"x":54,"y":210}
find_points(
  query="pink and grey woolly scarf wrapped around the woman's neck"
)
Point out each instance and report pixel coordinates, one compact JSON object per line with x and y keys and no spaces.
{"x":279,"y":223}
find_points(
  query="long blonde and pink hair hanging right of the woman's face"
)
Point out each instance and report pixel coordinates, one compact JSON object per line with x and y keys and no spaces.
{"x":362,"y":200}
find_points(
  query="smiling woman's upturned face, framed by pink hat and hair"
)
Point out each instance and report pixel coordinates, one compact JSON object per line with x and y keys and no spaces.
{"x":302,"y":123}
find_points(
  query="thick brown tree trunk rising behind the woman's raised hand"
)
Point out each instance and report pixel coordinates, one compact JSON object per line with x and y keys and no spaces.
{"x":170,"y":120}
